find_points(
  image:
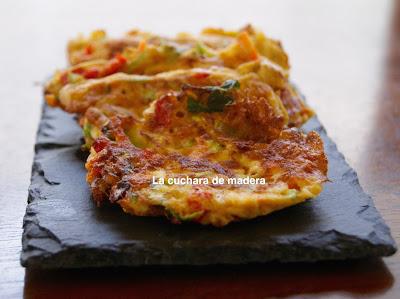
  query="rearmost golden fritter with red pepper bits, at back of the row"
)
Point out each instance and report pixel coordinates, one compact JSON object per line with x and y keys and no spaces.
{"x":244,"y":51}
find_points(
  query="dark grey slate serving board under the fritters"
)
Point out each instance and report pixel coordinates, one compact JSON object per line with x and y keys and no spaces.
{"x":64,"y":229}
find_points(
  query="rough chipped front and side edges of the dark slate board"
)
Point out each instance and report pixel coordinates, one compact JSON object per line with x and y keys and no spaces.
{"x":126,"y":255}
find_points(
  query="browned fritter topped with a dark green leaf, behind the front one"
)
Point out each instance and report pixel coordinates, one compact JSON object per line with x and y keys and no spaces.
{"x":245,"y":109}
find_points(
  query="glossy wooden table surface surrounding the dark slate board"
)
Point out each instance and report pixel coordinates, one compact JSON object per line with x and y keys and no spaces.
{"x":345,"y":56}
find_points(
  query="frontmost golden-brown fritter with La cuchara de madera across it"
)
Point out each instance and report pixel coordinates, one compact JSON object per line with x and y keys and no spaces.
{"x":294,"y":166}
